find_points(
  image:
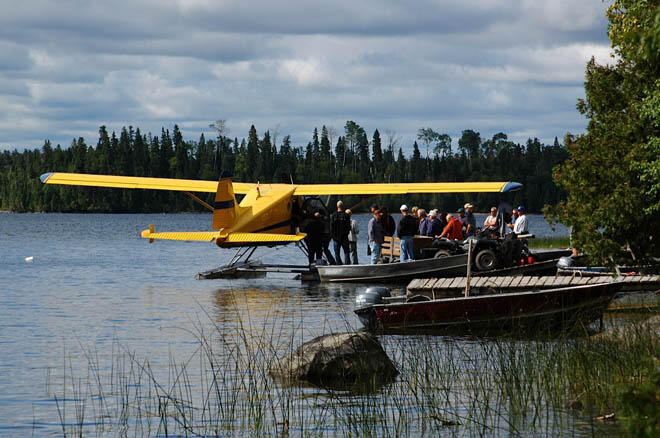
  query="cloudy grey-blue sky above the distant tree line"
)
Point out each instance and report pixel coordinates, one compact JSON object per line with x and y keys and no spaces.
{"x":68,"y":67}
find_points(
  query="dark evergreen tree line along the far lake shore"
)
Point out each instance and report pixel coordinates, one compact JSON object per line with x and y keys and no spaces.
{"x":352,"y":157}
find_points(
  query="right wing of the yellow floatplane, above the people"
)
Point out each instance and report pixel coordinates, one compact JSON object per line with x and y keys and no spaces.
{"x":406,"y":188}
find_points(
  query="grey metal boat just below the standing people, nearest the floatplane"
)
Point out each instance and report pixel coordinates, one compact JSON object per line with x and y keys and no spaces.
{"x":395,"y":272}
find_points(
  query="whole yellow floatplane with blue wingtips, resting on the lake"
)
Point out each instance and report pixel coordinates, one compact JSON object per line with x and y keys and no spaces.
{"x":268,"y":214}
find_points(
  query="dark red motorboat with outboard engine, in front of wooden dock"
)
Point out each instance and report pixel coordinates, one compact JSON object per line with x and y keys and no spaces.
{"x":561,"y":308}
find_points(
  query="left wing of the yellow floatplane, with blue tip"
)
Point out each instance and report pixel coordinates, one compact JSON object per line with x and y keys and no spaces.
{"x":138,"y":182}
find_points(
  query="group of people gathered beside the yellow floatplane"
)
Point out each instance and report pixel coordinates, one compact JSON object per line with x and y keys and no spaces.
{"x":344,"y":230}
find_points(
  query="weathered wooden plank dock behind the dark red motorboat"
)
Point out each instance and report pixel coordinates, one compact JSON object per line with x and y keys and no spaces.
{"x":448,"y":287}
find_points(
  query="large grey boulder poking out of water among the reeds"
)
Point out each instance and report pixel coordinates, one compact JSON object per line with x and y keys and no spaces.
{"x":338,"y":361}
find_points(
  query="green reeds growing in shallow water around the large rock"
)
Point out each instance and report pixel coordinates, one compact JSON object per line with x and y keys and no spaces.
{"x":451,"y":386}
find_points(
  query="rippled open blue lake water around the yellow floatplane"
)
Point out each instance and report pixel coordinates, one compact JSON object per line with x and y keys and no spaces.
{"x":93,"y":287}
